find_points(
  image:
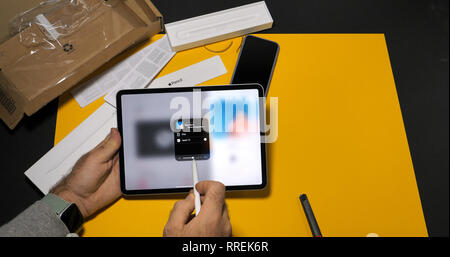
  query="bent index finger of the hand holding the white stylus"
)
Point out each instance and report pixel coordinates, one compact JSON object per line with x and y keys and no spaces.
{"x":214,"y":197}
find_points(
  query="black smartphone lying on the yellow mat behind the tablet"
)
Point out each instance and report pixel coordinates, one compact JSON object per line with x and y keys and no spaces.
{"x":256,"y":62}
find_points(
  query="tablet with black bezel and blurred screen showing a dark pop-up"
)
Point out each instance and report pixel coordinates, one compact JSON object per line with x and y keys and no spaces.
{"x":163,"y":129}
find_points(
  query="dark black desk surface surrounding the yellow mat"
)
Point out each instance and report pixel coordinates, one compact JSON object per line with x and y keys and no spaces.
{"x":417,"y":39}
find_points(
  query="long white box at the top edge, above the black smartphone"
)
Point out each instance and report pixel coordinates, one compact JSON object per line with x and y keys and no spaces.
{"x":218,"y":26}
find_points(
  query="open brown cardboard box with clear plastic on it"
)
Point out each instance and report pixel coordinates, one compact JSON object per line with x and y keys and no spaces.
{"x":35,"y":67}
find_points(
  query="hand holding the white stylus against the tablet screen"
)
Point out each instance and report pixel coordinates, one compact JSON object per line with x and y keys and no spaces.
{"x":212,"y":220}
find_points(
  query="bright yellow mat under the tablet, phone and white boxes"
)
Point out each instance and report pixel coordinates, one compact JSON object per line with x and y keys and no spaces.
{"x":341,"y":140}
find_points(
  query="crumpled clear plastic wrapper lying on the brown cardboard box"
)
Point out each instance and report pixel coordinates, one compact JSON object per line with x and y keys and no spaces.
{"x":47,"y":47}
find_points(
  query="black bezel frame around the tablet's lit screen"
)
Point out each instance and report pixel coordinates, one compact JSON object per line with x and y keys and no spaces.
{"x":188,"y":89}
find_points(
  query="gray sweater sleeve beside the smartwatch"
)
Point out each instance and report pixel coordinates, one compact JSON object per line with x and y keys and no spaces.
{"x":37,"y":220}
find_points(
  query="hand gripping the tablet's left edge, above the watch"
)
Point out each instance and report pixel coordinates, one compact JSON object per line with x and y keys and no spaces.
{"x":94,"y":180}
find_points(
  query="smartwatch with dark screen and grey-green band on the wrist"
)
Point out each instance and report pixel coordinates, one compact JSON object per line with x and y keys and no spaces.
{"x":67,"y":212}
